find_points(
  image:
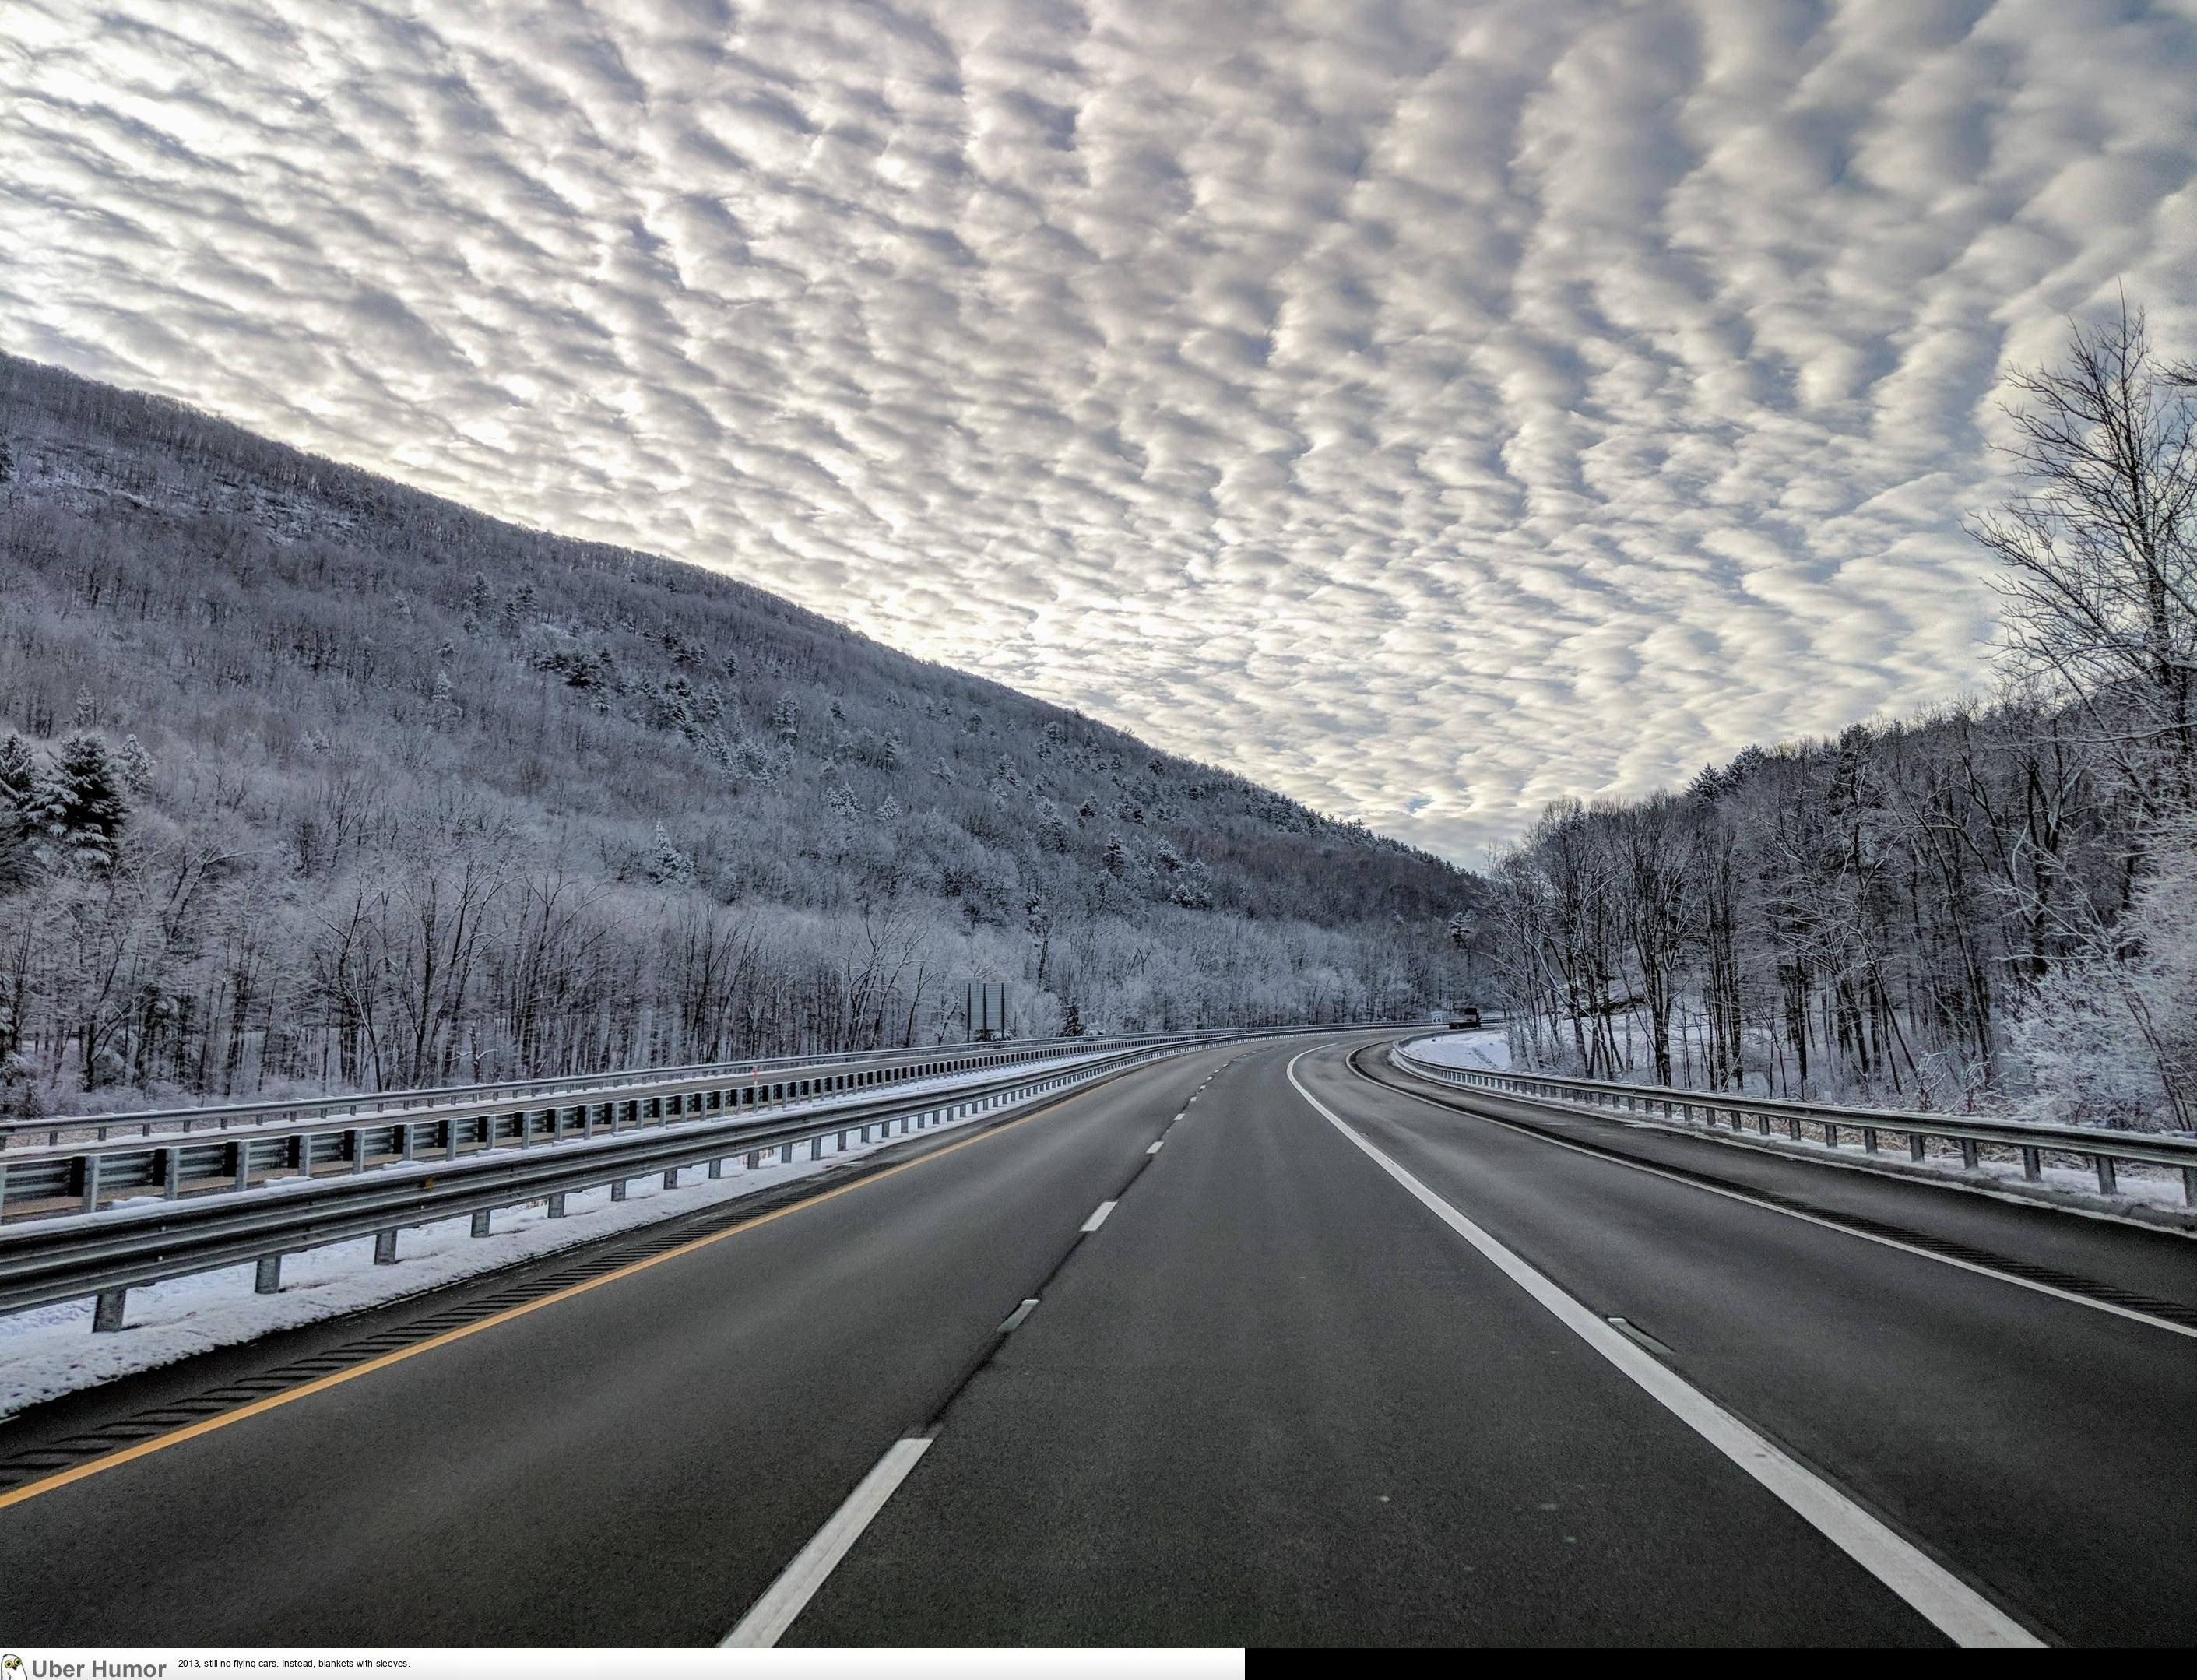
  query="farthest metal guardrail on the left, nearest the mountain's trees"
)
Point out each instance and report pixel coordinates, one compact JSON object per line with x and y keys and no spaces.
{"x":225,"y":1117}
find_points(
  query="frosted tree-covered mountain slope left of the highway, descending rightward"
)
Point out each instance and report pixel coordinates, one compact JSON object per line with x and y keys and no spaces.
{"x":313,"y":779}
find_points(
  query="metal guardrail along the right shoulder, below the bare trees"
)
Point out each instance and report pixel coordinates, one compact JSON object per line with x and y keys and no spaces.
{"x":2033,"y":1141}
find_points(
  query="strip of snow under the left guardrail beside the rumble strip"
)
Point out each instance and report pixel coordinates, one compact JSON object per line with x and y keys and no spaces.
{"x":54,"y":1352}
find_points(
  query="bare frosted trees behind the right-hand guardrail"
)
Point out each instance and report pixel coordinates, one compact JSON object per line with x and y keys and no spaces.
{"x":1987,"y":908}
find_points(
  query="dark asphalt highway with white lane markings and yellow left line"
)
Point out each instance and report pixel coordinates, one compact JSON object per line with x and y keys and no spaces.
{"x":1335,"y":1367}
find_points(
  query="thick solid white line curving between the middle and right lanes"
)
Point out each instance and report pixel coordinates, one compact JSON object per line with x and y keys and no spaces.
{"x":1950,"y":1604}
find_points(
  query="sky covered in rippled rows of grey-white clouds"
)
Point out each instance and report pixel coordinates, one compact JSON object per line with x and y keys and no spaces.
{"x":1429,"y":410}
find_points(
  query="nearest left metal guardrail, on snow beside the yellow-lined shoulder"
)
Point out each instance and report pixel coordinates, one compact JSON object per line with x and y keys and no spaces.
{"x":109,"y":1253}
